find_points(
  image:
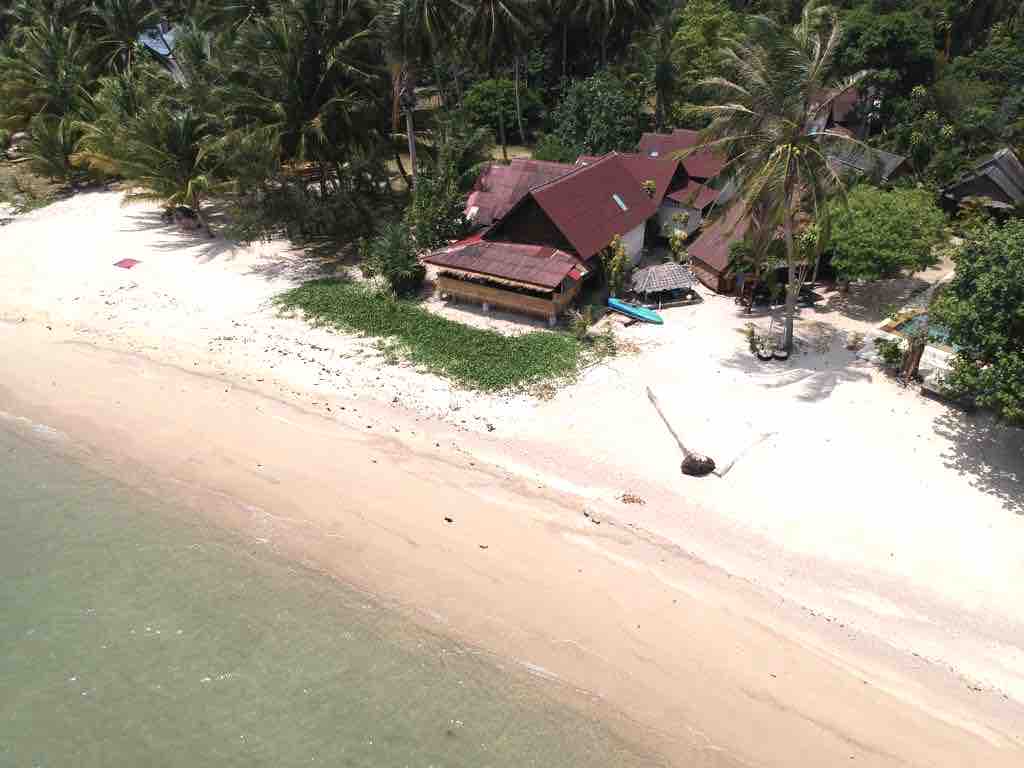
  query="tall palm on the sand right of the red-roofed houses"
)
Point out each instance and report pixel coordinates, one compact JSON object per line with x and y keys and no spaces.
{"x":782,"y":172}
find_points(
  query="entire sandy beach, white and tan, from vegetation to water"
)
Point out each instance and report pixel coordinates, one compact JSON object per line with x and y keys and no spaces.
{"x":849,"y":590}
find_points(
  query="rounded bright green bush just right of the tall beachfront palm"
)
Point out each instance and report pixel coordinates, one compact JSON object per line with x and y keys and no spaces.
{"x":882,"y":234}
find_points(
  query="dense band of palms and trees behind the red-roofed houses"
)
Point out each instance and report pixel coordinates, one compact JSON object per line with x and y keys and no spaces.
{"x":328,"y":121}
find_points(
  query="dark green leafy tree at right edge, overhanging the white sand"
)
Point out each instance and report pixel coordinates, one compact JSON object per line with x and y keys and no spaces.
{"x":984,"y":309}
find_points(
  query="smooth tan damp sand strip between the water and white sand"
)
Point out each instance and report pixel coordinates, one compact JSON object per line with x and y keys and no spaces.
{"x":719,"y":672}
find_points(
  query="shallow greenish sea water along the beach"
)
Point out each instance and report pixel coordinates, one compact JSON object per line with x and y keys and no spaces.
{"x":133,"y":636}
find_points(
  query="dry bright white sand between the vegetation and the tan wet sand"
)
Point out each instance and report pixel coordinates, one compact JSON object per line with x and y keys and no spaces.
{"x":874,"y":509}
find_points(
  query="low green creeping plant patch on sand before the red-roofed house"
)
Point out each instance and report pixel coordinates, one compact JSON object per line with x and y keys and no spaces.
{"x":474,"y":358}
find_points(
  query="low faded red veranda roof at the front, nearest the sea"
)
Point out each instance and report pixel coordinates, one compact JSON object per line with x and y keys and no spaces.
{"x":542,"y":267}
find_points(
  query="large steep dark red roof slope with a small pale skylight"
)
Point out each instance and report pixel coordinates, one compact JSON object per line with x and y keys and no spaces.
{"x":594,"y":203}
